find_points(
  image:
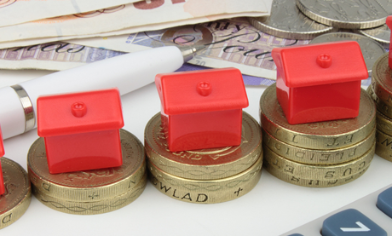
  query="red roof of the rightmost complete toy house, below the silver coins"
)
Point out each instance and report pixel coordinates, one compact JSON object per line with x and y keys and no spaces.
{"x":319,"y":64}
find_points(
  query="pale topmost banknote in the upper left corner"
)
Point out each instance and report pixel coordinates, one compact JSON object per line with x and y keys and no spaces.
{"x":14,"y":12}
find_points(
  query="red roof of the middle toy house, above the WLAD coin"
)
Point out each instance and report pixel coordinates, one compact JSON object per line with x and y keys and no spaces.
{"x":201,"y":91}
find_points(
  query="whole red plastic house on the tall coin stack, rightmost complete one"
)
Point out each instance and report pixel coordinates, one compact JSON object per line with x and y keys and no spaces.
{"x":319,"y":82}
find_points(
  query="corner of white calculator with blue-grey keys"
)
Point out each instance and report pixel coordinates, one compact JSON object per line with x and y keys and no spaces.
{"x":368,"y":216}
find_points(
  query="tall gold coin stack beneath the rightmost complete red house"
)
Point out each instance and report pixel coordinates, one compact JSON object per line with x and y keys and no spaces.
{"x":320,"y":154}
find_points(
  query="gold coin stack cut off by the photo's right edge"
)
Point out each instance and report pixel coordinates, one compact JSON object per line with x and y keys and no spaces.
{"x":381,"y":92}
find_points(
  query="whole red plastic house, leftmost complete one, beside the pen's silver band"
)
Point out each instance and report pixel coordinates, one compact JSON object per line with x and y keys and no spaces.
{"x":81,"y":130}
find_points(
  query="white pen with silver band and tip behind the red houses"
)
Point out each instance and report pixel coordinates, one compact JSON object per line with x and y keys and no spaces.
{"x":128,"y":72}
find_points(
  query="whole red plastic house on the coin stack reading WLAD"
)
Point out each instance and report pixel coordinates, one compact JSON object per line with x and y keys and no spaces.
{"x":202,"y":109}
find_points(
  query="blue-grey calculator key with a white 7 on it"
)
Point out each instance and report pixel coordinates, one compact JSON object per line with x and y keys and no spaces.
{"x":349,"y":223}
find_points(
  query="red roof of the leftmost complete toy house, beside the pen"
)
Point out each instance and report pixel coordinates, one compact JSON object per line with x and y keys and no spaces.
{"x":79,"y":113}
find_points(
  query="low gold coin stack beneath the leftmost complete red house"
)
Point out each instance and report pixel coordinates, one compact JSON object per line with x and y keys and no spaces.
{"x":89,"y":192}
